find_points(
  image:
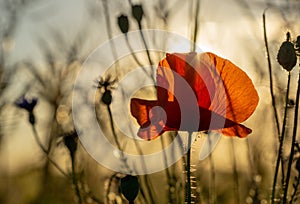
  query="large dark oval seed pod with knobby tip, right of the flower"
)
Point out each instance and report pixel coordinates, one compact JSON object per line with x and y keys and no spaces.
{"x":286,"y":56}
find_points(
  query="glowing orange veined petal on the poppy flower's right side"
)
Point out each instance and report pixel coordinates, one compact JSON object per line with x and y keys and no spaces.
{"x":236,"y":90}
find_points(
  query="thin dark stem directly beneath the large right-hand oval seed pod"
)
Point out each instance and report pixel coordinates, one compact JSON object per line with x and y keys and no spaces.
{"x":279,"y":156}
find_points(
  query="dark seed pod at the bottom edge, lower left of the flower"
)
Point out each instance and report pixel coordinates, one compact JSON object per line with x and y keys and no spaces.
{"x":130,"y":187}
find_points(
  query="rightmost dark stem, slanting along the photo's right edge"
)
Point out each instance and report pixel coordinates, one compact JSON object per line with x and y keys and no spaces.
{"x":292,"y":151}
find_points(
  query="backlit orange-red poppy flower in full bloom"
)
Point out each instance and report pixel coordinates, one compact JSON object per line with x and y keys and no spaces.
{"x":222,"y":97}
